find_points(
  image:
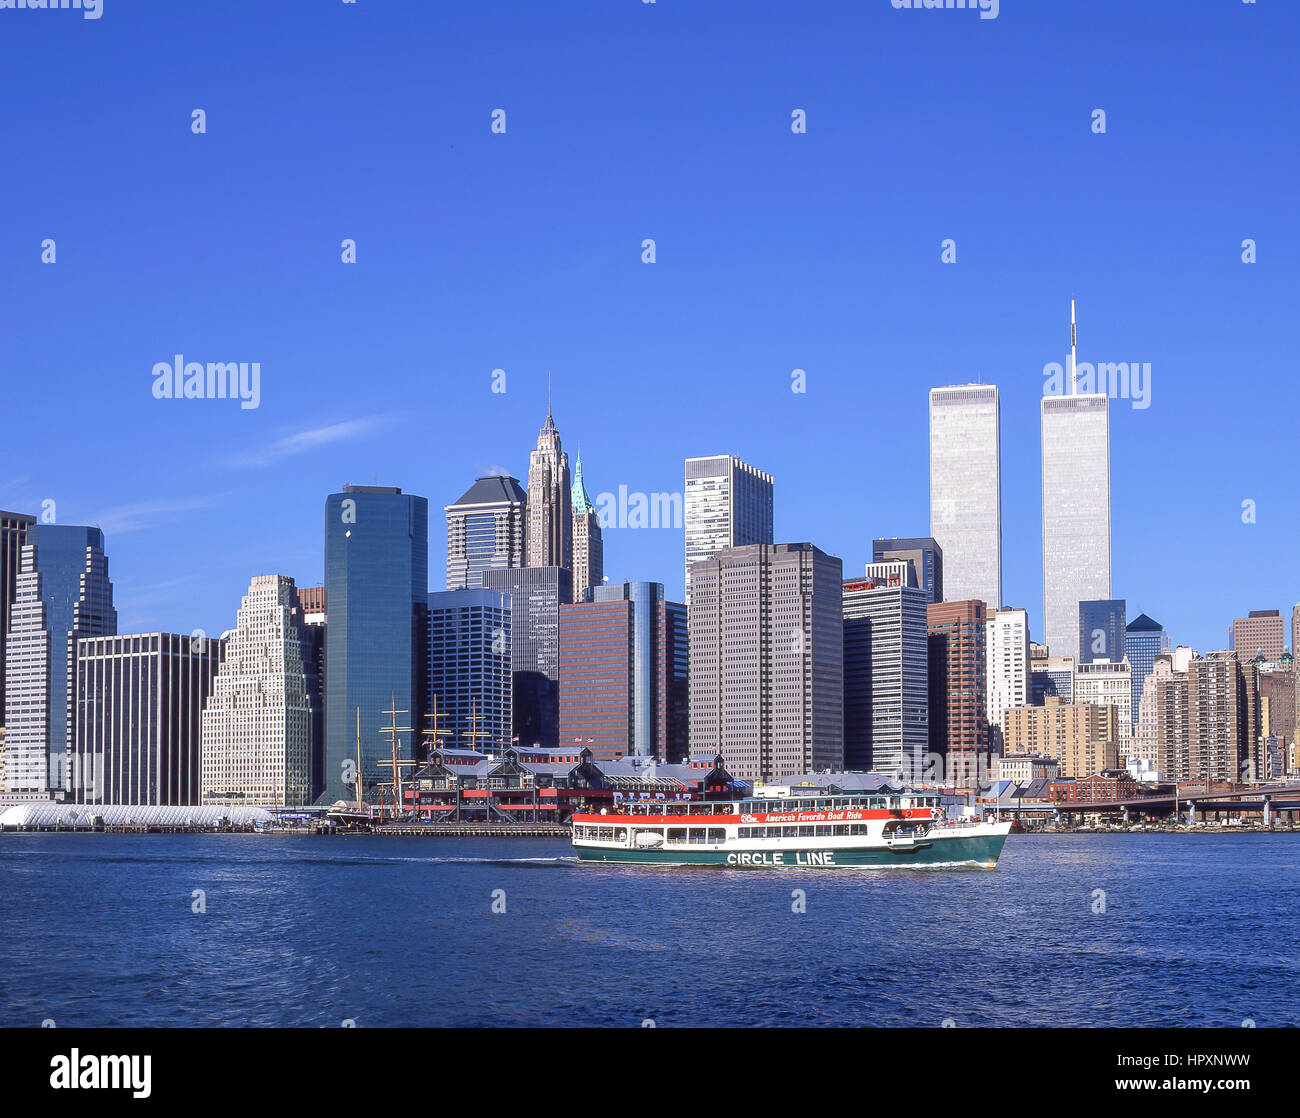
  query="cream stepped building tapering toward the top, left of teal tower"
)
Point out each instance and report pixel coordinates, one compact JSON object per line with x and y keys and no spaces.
{"x":258,"y":723}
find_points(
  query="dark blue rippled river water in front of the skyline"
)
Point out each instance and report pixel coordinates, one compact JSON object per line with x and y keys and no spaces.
{"x":98,"y":930}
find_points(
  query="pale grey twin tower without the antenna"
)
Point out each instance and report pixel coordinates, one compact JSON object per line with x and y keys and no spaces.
{"x":967,"y":491}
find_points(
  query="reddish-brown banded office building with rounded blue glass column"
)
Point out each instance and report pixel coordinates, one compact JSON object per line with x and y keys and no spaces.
{"x":623,"y":674}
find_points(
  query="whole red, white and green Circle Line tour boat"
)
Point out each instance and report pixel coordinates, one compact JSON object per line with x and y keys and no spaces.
{"x":791,"y":831}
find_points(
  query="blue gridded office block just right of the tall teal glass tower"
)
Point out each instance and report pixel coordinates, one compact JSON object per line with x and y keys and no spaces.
{"x":470,"y":670}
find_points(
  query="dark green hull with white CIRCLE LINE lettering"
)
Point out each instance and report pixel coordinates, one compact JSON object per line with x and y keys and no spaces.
{"x":980,"y":851}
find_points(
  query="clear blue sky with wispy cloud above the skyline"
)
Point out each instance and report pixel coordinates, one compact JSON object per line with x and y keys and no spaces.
{"x":523,"y":252}
